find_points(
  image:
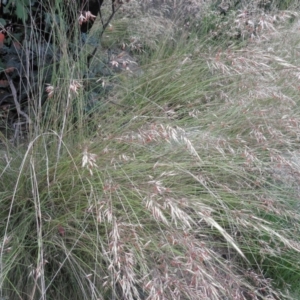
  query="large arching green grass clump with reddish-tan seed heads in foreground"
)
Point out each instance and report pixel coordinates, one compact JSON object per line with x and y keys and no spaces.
{"x":181,"y":183}
